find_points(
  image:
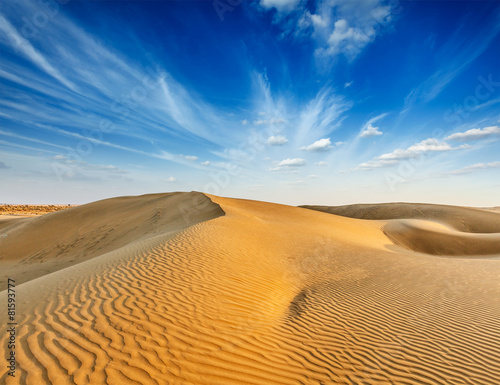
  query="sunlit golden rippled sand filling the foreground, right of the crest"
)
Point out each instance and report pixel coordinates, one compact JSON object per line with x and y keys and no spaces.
{"x":254,"y":298}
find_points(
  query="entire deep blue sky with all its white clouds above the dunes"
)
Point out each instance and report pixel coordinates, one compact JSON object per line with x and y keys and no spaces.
{"x":327,"y":102}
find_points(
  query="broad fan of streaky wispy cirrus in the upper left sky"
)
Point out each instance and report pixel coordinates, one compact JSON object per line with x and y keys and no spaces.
{"x":143,"y":102}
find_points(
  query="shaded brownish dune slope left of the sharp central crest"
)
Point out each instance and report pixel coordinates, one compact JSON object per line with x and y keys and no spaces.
{"x":60,"y":239}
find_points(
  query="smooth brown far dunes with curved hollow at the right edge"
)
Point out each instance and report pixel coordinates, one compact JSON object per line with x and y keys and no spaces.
{"x":431,"y":229}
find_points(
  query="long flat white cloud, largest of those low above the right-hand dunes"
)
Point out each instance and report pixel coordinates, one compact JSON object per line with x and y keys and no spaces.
{"x":414,"y":151}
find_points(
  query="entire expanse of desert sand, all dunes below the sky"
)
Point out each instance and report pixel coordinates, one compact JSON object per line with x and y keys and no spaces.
{"x":187,"y":288}
